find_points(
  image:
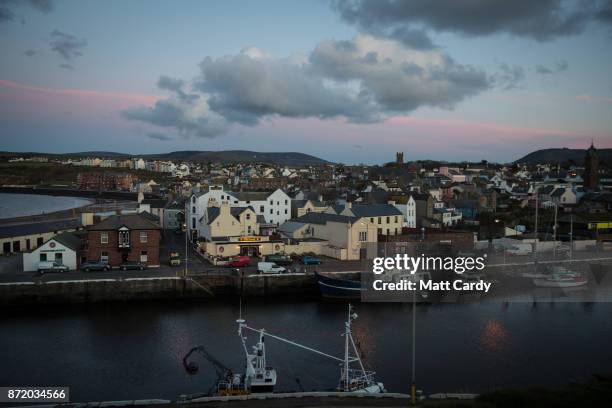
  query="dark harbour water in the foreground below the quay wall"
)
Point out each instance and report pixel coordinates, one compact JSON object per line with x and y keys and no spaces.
{"x":134,"y":350}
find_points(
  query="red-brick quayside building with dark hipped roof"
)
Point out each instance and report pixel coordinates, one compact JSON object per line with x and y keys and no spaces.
{"x":120,"y":238}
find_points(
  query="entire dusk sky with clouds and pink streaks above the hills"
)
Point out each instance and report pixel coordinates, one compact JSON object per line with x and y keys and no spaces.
{"x":349,"y":81}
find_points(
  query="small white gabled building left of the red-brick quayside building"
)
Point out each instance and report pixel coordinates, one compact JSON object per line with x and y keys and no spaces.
{"x":62,"y":248}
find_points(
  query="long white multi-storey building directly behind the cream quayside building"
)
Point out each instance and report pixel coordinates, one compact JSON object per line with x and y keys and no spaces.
{"x":274,"y":206}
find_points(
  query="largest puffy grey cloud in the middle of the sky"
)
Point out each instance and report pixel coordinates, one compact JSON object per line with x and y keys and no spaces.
{"x":363,"y":80}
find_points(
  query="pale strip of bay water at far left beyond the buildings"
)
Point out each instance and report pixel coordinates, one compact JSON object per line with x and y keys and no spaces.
{"x":20,"y":205}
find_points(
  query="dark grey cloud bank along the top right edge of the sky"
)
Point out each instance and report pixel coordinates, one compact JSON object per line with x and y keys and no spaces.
{"x":541,"y":20}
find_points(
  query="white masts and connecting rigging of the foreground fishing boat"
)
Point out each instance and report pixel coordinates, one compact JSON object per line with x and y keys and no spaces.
{"x":357,"y":380}
